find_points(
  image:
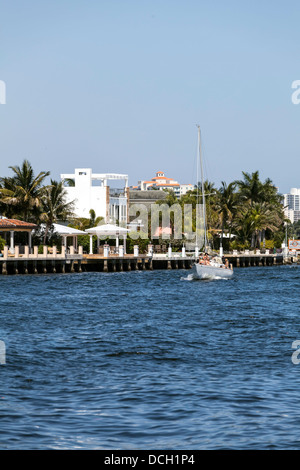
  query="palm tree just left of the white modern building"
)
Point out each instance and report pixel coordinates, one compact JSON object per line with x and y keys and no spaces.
{"x":55,"y":206}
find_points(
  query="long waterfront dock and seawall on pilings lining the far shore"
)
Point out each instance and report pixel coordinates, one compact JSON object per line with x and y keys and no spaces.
{"x":52,"y":261}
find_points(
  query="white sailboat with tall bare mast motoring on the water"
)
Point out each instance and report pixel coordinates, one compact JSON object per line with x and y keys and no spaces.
{"x":208,"y":267}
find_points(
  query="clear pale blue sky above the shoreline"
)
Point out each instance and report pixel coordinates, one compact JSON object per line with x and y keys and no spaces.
{"x":120,"y":85}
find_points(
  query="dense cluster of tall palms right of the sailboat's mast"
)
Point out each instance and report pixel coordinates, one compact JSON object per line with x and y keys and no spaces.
{"x":244,"y":214}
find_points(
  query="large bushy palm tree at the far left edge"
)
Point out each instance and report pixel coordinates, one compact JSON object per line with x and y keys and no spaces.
{"x":22,"y":193}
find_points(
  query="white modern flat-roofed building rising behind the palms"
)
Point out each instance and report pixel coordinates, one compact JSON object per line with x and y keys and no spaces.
{"x":91,"y":191}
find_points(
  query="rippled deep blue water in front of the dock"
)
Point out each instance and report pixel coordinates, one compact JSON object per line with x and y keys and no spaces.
{"x":150,"y":360}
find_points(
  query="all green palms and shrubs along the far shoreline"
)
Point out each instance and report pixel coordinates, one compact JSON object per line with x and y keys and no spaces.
{"x":244,"y":214}
